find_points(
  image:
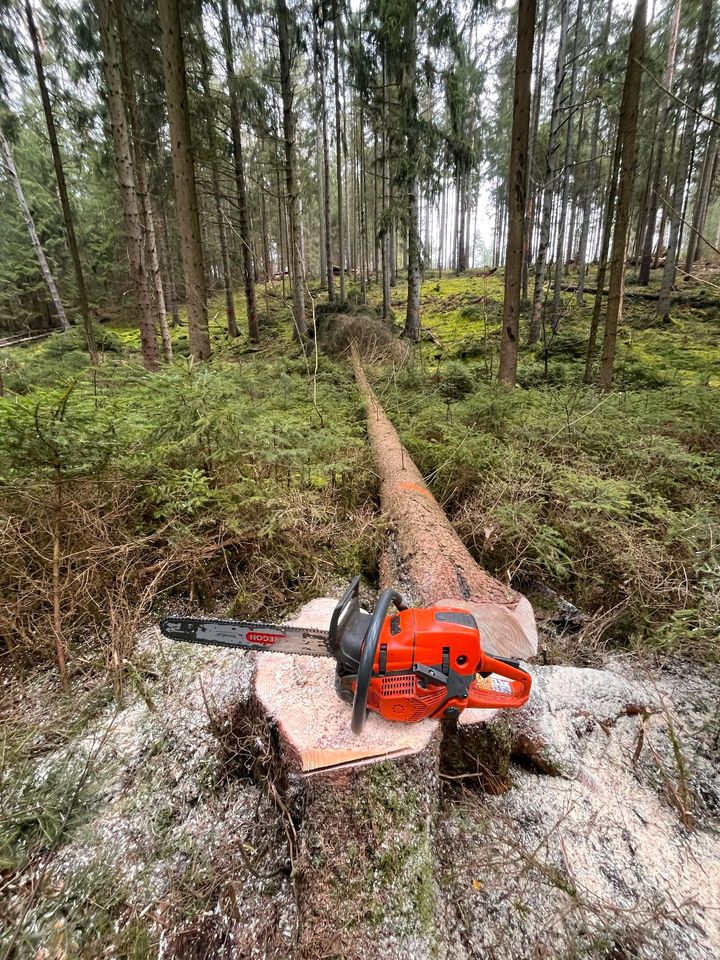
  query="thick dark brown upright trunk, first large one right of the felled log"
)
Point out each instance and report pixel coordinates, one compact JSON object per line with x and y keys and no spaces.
{"x":517,"y":185}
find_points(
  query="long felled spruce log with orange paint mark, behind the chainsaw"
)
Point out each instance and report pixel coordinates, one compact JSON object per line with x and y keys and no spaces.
{"x":427,"y":560}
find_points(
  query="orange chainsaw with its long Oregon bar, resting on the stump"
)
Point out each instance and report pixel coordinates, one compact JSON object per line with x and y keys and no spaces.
{"x":409,"y":665}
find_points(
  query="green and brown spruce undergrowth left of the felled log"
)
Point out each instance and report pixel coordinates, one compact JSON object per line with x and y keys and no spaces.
{"x":237,"y":483}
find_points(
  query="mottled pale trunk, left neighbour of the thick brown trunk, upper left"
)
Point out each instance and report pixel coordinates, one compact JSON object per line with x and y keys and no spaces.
{"x":132,"y":211}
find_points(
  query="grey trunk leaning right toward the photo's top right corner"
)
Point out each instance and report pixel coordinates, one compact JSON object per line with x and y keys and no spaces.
{"x":683,"y":165}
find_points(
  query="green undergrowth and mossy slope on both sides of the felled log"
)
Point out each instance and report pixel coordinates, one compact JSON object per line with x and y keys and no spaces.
{"x":245,"y":484}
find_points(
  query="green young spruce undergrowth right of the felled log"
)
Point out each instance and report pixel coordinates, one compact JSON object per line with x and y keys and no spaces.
{"x":610,"y":500}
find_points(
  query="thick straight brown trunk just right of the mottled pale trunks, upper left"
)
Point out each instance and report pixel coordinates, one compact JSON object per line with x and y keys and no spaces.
{"x":183,"y":164}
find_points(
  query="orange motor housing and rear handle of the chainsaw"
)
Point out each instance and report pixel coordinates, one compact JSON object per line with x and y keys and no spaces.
{"x":429,"y":663}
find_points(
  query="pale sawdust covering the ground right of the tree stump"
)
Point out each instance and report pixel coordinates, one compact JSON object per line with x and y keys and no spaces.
{"x":598,"y":866}
